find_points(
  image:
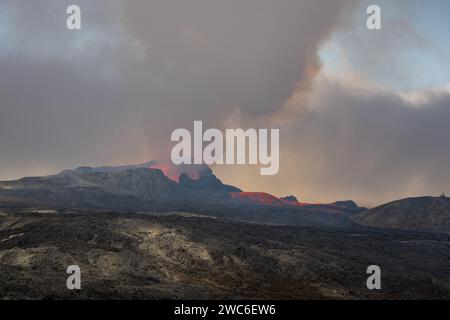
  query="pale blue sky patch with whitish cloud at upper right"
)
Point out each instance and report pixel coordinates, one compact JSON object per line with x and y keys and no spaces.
{"x":409,"y":53}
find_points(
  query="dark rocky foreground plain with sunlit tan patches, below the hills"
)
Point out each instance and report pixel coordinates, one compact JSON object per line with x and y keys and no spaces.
{"x":184,"y":256}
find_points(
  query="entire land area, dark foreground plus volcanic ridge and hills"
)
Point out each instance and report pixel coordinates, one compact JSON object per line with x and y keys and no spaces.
{"x":156,"y":232}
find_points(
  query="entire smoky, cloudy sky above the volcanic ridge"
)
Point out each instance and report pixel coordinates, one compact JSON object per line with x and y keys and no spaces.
{"x":362,"y":114}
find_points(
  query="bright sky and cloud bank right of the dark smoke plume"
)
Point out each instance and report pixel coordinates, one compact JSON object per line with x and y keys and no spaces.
{"x":367,"y":128}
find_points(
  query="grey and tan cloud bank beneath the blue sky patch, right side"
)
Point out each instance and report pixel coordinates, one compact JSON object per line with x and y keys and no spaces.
{"x":372,"y":145}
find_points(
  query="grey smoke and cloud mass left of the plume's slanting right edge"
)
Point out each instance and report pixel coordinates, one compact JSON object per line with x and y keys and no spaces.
{"x":115,"y":90}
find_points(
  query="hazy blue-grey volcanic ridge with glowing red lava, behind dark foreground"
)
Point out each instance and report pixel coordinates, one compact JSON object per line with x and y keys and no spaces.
{"x":162,"y":186}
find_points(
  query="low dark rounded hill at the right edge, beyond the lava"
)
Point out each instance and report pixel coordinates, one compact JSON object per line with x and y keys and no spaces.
{"x":423,"y":213}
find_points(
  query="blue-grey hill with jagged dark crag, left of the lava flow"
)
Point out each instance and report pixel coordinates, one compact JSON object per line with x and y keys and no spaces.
{"x":125,"y":188}
